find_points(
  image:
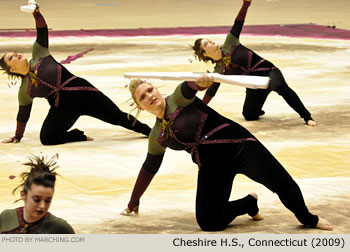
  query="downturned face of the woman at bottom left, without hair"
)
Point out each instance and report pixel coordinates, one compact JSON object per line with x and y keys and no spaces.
{"x":37,"y":202}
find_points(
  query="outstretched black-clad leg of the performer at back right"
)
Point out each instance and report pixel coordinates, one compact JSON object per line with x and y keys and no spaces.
{"x":278,"y":84}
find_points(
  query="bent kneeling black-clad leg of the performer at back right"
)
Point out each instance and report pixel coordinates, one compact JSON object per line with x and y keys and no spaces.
{"x":254,"y":101}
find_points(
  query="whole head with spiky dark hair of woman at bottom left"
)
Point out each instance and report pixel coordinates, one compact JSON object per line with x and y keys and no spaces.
{"x":37,"y":187}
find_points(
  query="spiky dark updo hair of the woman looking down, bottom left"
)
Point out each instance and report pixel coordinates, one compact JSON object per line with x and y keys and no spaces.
{"x":42,"y":172}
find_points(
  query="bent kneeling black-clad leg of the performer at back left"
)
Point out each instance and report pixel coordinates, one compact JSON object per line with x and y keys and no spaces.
{"x":56,"y":125}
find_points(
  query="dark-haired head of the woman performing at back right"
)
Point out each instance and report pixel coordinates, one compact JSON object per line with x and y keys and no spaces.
{"x":205,"y":49}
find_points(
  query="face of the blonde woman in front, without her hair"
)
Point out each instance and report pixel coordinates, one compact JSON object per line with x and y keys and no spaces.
{"x":149,"y":99}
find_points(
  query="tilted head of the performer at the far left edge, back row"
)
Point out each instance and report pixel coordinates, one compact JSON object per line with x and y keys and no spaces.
{"x":14,"y":64}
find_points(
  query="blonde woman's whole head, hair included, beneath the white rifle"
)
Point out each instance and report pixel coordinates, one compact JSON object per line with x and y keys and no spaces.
{"x":147,"y":97}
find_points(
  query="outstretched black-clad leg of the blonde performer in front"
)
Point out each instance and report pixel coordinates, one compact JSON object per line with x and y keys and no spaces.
{"x":261,"y":166}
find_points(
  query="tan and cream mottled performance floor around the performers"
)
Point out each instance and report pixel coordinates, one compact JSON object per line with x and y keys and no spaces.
{"x":98,"y":177}
